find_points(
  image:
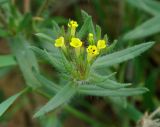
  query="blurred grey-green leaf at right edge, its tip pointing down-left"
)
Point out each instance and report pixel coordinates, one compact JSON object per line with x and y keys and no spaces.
{"x":148,"y":28}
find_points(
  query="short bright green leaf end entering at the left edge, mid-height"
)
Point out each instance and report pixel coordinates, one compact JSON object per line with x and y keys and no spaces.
{"x":7,"y":60}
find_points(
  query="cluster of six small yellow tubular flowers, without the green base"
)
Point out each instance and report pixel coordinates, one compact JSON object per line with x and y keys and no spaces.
{"x":92,"y":50}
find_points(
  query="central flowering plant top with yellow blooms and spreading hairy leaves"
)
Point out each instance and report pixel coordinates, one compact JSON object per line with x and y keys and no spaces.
{"x":82,"y":56}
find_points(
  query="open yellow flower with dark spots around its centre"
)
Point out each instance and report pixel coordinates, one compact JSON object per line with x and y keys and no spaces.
{"x":92,"y":50}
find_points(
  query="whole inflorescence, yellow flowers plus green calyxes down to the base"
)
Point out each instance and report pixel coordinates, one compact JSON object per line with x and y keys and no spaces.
{"x":81,"y":54}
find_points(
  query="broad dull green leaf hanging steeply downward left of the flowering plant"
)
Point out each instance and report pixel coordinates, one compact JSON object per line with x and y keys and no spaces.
{"x":25,"y":59}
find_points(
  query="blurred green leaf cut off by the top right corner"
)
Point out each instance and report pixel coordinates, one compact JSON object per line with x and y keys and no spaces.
{"x":150,"y":6}
